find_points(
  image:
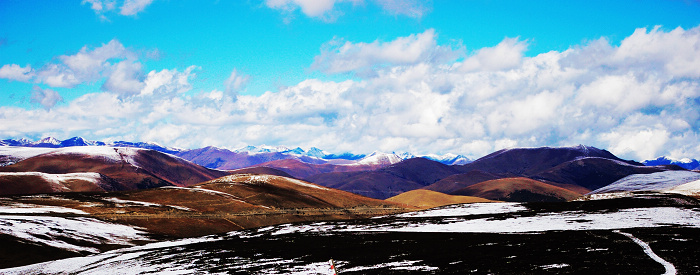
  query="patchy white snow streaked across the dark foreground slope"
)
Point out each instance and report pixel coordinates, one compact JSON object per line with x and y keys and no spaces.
{"x":204,"y":255}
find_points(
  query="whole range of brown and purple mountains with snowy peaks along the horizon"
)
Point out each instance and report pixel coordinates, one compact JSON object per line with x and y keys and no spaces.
{"x":516,"y":174}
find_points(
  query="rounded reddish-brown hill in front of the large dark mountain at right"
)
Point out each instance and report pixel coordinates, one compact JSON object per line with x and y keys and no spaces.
{"x":517,"y":189}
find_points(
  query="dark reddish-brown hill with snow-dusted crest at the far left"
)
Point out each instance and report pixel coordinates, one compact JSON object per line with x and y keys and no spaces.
{"x":111,"y":169}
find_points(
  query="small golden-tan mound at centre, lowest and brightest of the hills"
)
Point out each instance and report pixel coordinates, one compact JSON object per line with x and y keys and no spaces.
{"x":429,"y":199}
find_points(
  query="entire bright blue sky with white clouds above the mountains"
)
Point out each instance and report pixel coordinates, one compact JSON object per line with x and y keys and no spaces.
{"x":426,"y":77}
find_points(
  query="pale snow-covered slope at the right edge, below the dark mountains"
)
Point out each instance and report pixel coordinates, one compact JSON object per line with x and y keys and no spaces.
{"x":649,"y":182}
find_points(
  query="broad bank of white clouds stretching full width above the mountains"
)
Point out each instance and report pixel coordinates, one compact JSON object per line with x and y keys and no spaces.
{"x":639,"y":99}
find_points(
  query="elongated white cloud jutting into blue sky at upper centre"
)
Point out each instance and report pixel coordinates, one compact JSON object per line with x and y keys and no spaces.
{"x":338,"y":56}
